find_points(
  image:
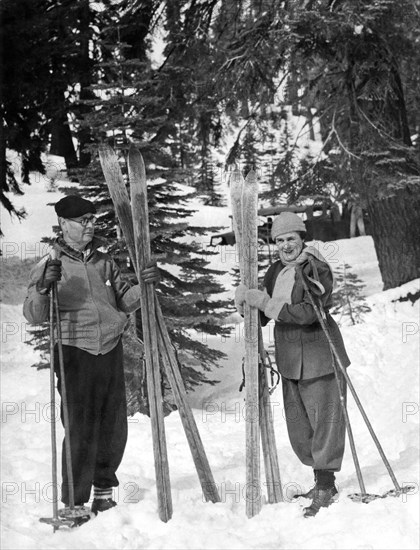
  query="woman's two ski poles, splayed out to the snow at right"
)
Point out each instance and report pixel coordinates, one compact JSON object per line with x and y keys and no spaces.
{"x":353,"y":391}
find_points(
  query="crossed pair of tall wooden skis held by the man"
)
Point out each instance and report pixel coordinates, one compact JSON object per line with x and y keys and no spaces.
{"x":134,"y":221}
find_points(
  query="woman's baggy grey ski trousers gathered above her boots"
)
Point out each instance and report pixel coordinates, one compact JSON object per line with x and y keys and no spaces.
{"x":315,"y":420}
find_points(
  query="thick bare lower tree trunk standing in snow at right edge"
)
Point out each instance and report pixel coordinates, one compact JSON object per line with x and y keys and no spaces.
{"x":395,"y":222}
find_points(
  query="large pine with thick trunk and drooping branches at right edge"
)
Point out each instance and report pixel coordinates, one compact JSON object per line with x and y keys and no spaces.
{"x":354,"y":62}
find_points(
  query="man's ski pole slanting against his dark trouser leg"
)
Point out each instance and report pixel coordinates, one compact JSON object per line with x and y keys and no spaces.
{"x":66,"y":421}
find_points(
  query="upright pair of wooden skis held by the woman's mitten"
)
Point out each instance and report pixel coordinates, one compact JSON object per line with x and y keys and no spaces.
{"x":258,"y":414}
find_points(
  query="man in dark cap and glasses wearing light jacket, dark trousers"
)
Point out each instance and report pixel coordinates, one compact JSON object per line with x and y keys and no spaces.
{"x":94,"y":304}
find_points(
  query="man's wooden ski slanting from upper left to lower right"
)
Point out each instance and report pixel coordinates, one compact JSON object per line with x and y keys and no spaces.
{"x":120,"y":198}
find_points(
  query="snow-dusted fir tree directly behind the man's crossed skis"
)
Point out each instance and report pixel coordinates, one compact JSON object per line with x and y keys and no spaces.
{"x":131,"y":104}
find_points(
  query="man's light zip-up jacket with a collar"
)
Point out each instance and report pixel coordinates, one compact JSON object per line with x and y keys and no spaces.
{"x":94,"y":301}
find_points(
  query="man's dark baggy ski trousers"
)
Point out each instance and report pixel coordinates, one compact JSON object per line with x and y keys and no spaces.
{"x":97,"y":410}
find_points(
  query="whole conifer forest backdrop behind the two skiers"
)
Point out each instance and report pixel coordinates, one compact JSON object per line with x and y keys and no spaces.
{"x":184,"y":79}
